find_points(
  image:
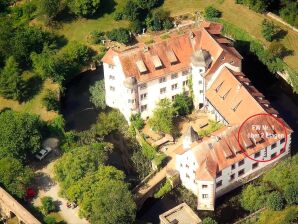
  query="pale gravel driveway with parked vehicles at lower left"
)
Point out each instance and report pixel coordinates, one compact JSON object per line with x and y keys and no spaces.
{"x":46,"y":185}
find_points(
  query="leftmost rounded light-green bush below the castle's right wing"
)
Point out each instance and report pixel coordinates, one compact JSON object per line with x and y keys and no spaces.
{"x":253,"y":197}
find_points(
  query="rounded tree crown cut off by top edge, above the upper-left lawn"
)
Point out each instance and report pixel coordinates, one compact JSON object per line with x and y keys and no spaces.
{"x":84,"y":8}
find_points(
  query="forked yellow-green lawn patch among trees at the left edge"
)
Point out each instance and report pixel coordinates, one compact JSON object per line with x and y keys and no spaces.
{"x":34,"y":105}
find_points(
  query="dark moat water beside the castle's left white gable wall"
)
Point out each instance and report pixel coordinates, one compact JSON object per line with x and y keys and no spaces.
{"x":79,"y":113}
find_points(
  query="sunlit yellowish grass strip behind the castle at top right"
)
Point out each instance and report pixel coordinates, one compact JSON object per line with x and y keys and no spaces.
{"x":240,"y":16}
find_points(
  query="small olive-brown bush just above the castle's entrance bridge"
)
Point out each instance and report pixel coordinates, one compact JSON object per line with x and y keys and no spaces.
{"x":141,"y":163}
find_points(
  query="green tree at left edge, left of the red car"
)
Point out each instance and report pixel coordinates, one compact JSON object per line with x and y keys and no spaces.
{"x":14,"y":176}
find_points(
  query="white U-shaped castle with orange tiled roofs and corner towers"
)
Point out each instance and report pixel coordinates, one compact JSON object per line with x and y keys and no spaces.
{"x":203,"y":61}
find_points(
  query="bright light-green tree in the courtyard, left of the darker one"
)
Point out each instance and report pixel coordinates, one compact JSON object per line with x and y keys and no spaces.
{"x":163,"y":117}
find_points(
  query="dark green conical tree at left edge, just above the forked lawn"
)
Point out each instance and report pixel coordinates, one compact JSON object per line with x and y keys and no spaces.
{"x":12,"y":85}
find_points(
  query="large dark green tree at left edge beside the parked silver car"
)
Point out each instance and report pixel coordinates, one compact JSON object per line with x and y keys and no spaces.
{"x":20,"y":134}
